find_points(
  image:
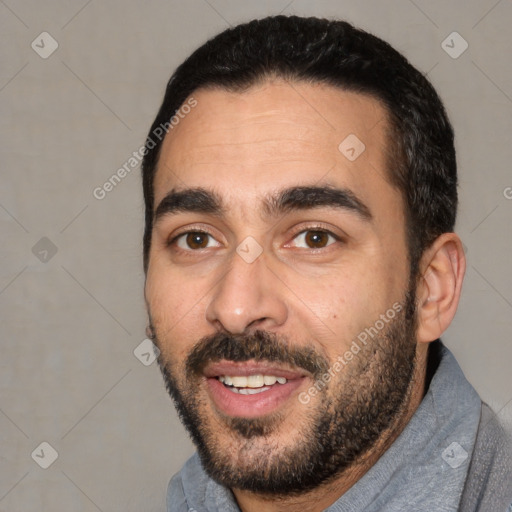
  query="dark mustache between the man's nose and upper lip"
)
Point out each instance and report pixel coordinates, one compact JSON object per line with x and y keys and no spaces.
{"x":260,"y":346}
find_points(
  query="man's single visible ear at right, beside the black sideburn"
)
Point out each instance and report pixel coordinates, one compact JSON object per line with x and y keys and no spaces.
{"x":442,"y":269}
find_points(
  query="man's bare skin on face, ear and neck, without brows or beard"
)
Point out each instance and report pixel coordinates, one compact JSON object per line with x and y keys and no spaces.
{"x":246,"y":146}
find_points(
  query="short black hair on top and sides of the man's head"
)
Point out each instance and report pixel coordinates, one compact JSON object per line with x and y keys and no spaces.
{"x":421,"y":153}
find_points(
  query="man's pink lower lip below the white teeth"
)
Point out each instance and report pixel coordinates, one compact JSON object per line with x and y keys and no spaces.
{"x":251,"y":406}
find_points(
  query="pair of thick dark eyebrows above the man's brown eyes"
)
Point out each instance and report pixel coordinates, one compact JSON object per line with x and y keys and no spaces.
{"x":201,"y":200}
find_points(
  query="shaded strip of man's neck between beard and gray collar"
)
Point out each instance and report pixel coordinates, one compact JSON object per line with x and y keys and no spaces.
{"x":321,"y":498}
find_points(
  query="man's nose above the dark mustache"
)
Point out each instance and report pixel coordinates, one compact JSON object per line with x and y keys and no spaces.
{"x":248,"y":296}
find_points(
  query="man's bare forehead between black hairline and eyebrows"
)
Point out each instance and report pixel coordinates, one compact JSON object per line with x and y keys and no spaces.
{"x":276,"y":135}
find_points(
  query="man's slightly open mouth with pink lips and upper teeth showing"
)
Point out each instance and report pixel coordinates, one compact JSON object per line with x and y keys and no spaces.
{"x":250,"y":389}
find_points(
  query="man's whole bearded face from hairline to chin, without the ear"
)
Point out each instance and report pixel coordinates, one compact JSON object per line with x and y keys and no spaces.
{"x":273,"y":251}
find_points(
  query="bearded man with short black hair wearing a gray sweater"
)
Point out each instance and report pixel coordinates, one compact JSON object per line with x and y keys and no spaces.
{"x":300,"y":268}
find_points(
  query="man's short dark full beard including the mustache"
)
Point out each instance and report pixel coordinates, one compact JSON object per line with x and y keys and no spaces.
{"x":350,"y":414}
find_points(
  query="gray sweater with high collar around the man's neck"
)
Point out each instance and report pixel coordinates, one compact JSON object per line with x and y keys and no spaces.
{"x":453,"y":455}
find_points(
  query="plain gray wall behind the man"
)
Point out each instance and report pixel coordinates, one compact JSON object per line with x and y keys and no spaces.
{"x":71,"y":319}
